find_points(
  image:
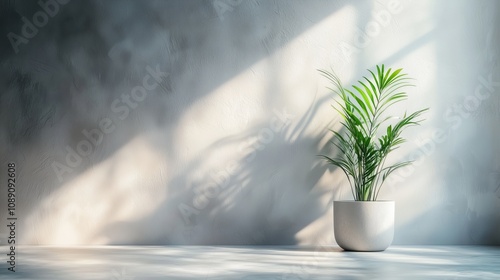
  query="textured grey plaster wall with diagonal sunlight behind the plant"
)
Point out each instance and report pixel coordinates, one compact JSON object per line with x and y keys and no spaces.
{"x":198,"y":122}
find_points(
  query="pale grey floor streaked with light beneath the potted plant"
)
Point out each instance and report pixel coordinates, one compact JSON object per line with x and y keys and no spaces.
{"x":198,"y":262}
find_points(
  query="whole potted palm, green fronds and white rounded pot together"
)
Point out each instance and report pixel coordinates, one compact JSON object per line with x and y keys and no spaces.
{"x":368,"y":135}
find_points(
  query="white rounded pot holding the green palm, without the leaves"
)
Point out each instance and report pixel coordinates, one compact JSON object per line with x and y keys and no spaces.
{"x":363,"y":225}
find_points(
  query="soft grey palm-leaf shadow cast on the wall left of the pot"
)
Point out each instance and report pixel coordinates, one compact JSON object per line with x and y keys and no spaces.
{"x":265,"y":196}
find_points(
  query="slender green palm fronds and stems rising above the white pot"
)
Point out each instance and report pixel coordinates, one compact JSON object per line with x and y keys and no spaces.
{"x":362,"y":150}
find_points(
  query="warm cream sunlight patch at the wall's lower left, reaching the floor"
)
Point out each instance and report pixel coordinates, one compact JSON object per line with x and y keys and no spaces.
{"x":113,"y":190}
